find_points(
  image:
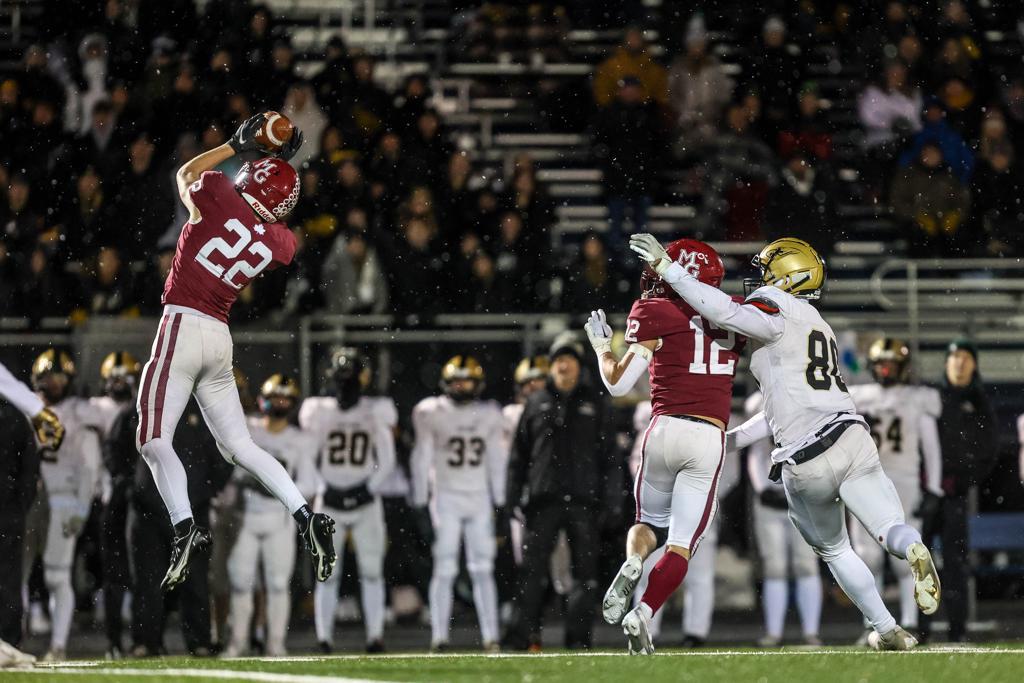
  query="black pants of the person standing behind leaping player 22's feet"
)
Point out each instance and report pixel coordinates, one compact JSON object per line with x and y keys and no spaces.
{"x":152,"y":541}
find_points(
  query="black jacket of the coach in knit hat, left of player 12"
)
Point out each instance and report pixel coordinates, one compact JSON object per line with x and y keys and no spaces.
{"x":565,"y":449}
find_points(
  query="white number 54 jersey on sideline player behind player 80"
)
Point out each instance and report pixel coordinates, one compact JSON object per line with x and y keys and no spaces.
{"x":903,"y":420}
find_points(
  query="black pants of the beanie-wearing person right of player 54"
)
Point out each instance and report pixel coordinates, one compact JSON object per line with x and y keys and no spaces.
{"x":951,"y":526}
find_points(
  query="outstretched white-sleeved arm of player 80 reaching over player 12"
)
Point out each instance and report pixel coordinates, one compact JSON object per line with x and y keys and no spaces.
{"x":713,"y":305}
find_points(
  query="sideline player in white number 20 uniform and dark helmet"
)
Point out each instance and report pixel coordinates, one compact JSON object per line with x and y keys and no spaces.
{"x":356,"y":438}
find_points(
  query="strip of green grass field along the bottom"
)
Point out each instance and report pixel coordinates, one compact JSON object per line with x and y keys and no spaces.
{"x":983,"y":665}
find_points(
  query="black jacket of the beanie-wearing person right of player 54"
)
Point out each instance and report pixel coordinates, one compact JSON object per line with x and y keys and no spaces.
{"x":967,"y":433}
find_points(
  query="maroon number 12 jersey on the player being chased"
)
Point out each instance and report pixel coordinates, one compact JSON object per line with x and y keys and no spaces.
{"x":692,"y":373}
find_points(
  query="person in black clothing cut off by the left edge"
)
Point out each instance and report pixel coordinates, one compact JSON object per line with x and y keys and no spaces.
{"x":19,"y":483}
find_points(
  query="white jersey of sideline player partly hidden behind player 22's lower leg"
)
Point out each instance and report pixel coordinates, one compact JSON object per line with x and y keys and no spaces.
{"x":295,"y":450}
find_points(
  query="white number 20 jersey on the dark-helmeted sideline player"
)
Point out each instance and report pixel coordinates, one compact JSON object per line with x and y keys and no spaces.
{"x":357,"y":447}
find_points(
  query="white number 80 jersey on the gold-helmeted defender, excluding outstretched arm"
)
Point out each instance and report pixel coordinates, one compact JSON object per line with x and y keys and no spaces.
{"x":799,"y":374}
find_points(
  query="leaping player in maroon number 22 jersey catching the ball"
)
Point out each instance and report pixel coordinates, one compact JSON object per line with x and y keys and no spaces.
{"x":233,"y":235}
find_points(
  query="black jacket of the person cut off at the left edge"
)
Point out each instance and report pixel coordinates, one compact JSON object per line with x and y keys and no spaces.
{"x":19,"y":463}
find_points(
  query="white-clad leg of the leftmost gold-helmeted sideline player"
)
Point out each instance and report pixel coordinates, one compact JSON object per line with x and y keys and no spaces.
{"x":59,"y":557}
